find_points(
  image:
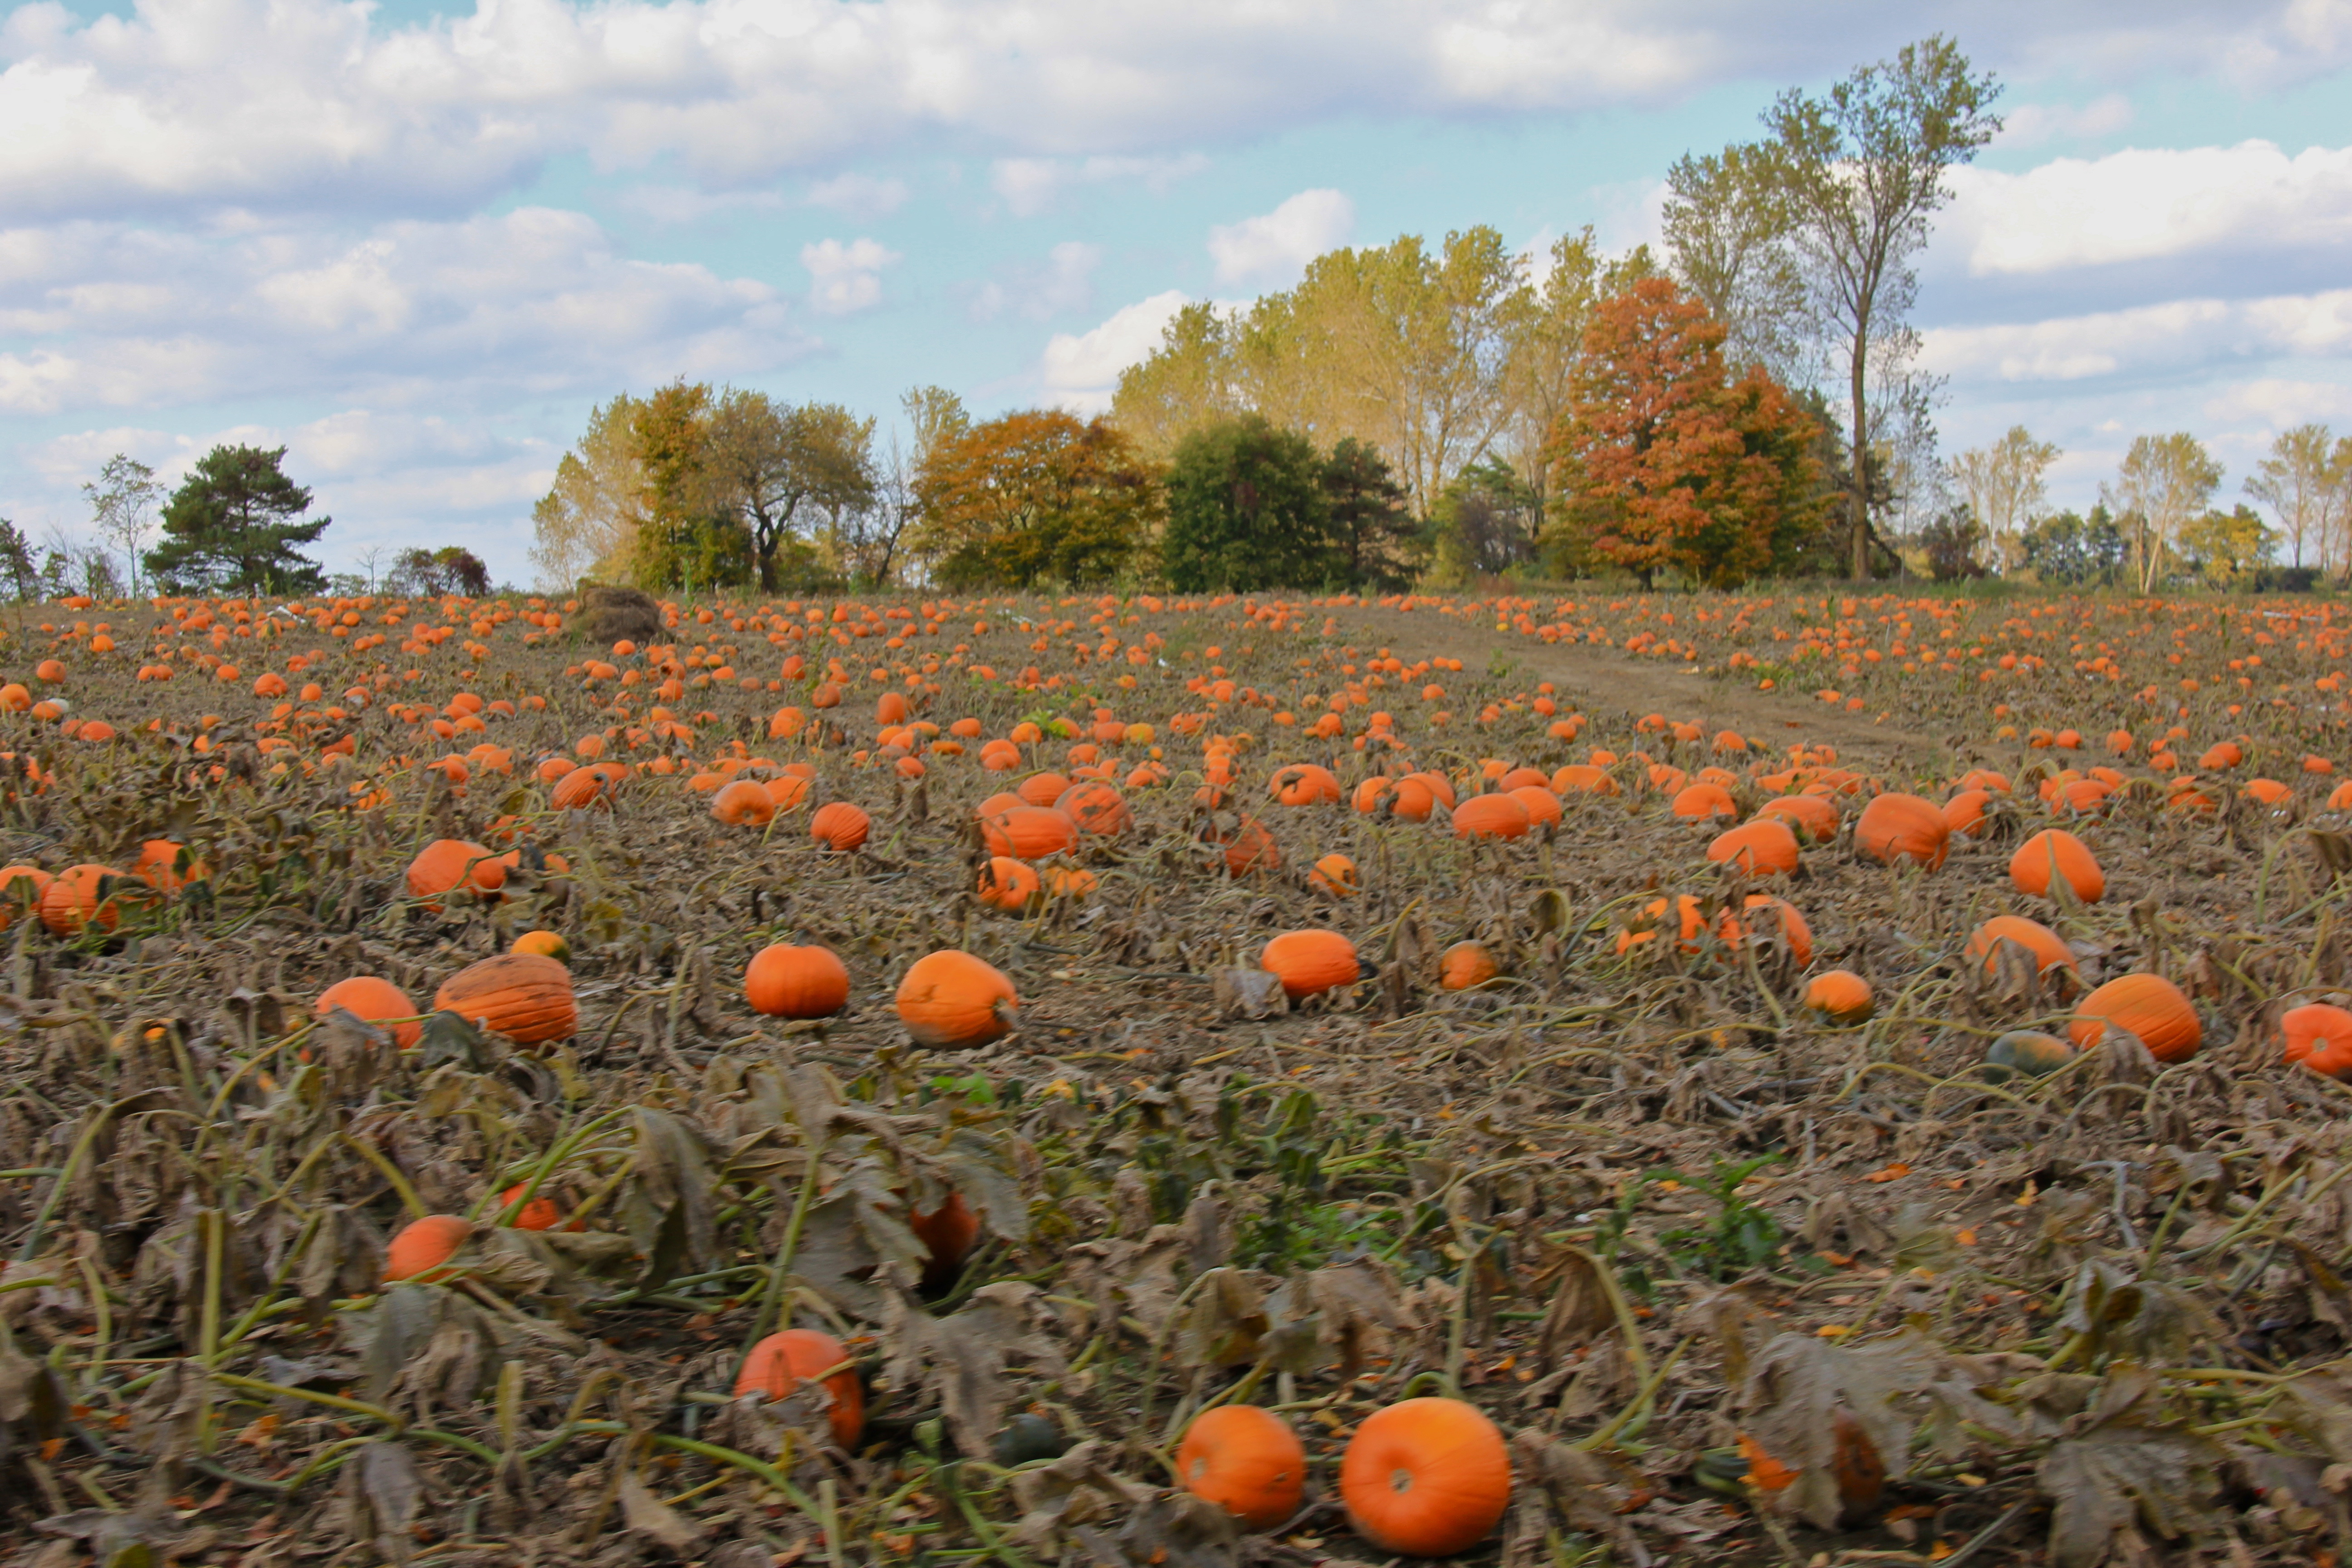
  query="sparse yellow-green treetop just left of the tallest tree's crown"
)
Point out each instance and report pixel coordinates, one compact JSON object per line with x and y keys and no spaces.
{"x":1728,"y":229}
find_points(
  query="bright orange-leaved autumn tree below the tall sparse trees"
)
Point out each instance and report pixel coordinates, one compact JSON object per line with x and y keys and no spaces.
{"x":1669,"y":462}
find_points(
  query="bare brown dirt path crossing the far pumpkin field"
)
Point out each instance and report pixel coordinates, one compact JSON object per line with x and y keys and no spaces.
{"x":1605,"y":681}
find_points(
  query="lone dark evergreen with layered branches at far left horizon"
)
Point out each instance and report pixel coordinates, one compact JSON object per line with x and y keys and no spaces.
{"x":234,"y":528}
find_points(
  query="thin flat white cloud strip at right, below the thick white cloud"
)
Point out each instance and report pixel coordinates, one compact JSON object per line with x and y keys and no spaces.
{"x":2146,"y":340}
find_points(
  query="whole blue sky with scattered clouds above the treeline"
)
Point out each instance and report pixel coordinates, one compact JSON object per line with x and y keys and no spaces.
{"x":415,"y":246}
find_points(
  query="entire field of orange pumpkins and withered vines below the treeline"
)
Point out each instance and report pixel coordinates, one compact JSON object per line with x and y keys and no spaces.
{"x":1177,"y":1083}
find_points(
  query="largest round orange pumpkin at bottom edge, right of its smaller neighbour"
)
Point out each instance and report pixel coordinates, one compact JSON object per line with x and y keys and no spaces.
{"x":1426,"y":1477}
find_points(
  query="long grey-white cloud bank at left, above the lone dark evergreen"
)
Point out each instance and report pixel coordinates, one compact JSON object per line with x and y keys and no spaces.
{"x":530,"y":302}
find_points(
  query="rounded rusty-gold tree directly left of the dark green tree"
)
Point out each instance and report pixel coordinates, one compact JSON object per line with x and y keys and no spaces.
{"x":1034,"y":497}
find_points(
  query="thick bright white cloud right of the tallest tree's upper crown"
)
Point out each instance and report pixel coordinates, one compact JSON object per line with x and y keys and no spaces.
{"x":2149,"y":203}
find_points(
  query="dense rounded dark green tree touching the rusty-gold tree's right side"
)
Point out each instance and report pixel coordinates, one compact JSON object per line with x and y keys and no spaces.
{"x":1248,"y":511}
